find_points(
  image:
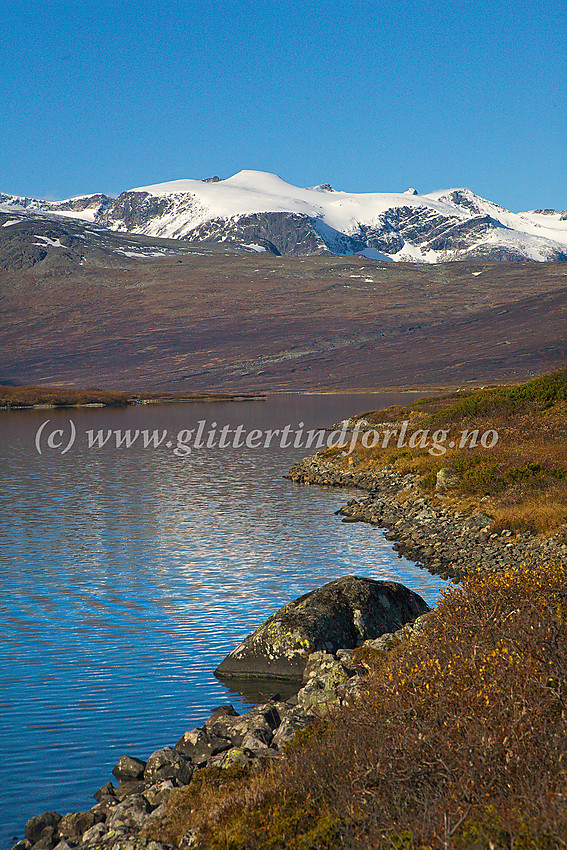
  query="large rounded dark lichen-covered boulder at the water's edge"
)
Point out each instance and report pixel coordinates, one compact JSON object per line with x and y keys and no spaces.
{"x":341,"y":614}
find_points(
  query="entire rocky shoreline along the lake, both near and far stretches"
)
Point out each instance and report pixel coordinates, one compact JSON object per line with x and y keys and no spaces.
{"x":439,"y":539}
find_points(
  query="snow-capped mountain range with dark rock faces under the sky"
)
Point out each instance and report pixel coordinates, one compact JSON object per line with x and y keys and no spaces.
{"x":254,"y":206}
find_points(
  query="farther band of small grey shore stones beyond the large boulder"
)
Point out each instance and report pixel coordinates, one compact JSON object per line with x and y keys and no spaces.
{"x":437,"y":538}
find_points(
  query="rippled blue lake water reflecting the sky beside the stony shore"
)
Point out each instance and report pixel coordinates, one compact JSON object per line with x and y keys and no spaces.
{"x":127,"y":574}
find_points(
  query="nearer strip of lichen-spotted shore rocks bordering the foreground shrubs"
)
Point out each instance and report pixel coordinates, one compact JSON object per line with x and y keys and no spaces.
{"x":123,"y":813}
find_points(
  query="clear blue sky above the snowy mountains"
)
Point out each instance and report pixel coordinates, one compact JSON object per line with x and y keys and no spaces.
{"x":368,"y":96}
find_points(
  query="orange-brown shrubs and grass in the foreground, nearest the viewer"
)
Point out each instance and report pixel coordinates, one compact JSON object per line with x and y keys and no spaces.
{"x":460,"y":741}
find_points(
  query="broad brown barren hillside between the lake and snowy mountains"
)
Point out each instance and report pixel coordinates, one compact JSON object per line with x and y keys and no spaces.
{"x":219,"y":318}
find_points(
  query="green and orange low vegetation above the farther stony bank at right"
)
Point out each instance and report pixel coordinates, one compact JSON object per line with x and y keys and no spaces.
{"x":520,"y":479}
